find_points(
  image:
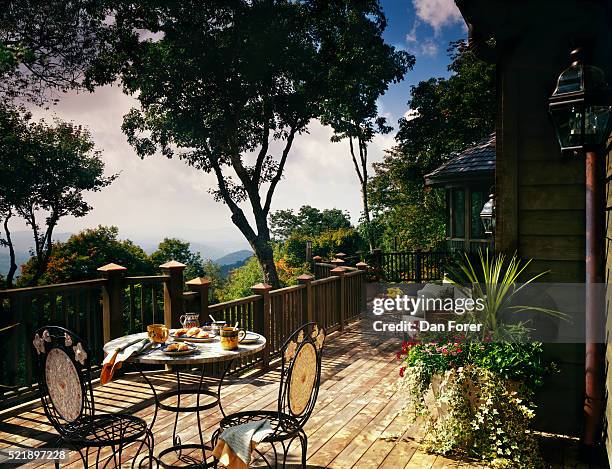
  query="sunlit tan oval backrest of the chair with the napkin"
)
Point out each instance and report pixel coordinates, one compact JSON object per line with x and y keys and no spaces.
{"x":301,"y":372}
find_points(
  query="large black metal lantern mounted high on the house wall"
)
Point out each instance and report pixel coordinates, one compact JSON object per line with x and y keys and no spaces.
{"x":580,"y":107}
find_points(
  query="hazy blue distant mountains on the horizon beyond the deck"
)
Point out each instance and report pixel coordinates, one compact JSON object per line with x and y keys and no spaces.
{"x":22,"y":242}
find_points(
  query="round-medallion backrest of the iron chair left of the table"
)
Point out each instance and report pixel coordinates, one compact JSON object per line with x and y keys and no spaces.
{"x":63,"y":372}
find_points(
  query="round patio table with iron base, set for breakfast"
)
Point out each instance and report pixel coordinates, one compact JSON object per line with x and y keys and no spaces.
{"x":205,"y":353}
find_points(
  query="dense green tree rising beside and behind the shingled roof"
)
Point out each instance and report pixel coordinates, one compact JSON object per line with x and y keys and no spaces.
{"x":446,"y":115}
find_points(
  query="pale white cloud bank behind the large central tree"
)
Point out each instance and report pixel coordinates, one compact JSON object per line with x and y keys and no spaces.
{"x":159,"y":197}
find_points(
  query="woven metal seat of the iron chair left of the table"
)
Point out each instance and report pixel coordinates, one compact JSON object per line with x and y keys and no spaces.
{"x":108,"y":430}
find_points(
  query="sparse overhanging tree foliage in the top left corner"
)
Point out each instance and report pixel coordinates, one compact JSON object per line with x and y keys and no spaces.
{"x":45,"y":45}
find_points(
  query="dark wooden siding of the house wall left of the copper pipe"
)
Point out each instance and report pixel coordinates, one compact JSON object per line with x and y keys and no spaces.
{"x":540,"y":206}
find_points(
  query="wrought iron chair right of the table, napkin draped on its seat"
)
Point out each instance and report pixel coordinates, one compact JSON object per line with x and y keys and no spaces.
{"x":299,"y":388}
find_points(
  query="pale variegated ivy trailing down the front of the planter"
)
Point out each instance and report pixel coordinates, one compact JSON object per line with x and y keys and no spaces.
{"x":477,"y":414}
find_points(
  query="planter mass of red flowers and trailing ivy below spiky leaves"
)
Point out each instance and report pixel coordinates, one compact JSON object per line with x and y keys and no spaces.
{"x":475,"y":397}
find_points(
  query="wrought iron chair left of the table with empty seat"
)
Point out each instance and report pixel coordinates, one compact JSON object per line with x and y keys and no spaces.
{"x":64,"y":375}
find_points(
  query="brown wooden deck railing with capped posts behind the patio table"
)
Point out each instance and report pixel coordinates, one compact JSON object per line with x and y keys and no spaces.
{"x":109,"y":307}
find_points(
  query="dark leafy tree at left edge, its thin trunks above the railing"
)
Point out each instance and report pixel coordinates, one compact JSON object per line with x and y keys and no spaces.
{"x":47,"y":169}
